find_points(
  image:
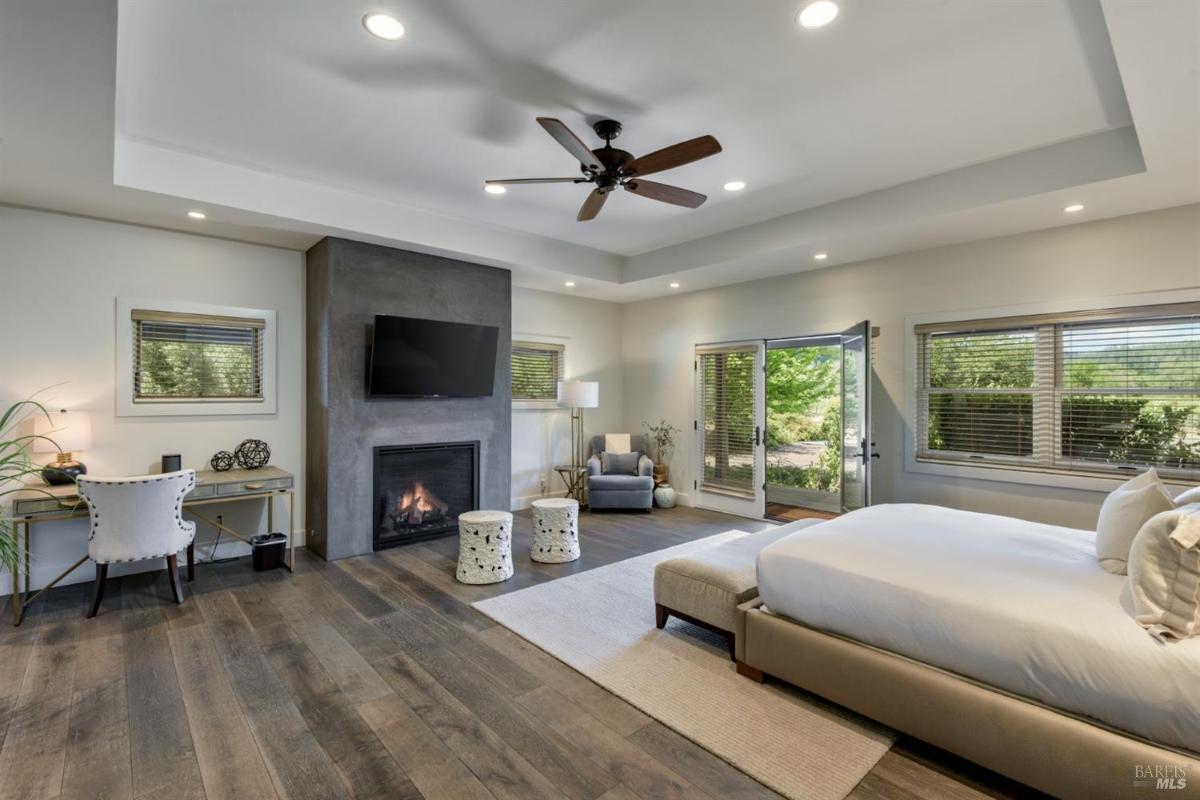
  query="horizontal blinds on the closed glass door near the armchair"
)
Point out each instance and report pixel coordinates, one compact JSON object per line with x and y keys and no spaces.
{"x":728,"y":411}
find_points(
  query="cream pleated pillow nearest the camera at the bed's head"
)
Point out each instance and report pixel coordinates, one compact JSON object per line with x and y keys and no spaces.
{"x":1165,"y":574}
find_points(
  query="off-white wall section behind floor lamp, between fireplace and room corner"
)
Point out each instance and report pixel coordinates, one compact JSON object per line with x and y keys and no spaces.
{"x":591,"y":330}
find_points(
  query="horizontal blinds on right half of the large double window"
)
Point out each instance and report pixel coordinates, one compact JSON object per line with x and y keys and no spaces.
{"x":1130,"y":395}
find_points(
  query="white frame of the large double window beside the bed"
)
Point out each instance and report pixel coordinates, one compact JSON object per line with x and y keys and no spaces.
{"x":1009,"y":470}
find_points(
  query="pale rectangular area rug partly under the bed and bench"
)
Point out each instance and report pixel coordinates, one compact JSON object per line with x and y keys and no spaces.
{"x":602,"y":623}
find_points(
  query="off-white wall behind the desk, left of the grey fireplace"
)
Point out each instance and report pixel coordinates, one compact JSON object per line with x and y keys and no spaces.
{"x":61,"y":278}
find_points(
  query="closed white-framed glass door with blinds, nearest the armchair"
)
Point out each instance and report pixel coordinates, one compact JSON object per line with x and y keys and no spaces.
{"x":730,"y":428}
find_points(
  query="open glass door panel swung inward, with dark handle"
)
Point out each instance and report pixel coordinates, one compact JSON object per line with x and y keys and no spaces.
{"x":856,"y":417}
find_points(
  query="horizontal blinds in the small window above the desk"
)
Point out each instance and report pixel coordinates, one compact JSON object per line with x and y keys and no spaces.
{"x":195,"y":357}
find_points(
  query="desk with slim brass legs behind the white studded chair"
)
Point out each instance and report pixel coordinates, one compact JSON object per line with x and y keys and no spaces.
{"x":47,"y":503}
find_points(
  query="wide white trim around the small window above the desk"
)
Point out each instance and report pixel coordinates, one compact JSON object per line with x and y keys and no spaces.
{"x":124,"y":383}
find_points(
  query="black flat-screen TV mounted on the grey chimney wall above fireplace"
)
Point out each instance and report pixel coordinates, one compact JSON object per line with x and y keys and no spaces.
{"x":425,"y":358}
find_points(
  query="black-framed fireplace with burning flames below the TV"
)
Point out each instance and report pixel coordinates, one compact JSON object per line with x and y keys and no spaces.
{"x":421,"y":491}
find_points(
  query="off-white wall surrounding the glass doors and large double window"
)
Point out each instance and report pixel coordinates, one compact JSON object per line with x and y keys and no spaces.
{"x":1142,"y":254}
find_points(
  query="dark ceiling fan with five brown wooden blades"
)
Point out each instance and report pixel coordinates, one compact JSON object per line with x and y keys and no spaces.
{"x":610,"y":169}
